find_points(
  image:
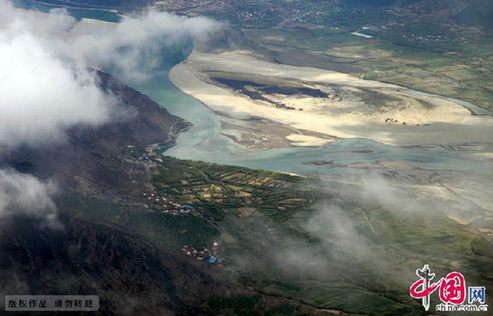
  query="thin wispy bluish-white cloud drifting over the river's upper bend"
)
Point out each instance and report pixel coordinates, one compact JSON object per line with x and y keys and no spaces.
{"x":135,"y":45}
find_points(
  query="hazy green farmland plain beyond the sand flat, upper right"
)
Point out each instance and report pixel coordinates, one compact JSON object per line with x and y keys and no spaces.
{"x":438,"y":58}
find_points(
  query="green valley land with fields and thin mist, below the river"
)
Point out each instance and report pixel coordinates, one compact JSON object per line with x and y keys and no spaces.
{"x":276,"y":240}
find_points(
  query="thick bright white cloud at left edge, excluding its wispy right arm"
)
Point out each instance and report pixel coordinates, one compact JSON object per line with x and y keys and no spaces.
{"x":41,"y":96}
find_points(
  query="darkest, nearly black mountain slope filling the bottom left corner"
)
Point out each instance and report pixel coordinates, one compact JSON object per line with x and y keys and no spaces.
{"x":130,"y":275}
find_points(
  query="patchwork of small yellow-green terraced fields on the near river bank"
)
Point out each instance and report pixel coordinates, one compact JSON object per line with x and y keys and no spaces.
{"x":219,"y":189}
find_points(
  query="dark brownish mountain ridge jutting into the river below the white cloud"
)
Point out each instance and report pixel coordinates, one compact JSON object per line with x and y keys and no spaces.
{"x":90,"y":158}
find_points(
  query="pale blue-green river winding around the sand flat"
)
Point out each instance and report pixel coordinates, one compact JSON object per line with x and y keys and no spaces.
{"x":205,"y":142}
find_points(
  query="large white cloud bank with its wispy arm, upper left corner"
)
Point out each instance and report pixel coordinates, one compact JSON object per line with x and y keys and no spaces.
{"x":46,"y":87}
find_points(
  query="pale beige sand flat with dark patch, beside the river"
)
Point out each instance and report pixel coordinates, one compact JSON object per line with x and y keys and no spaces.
{"x":416,"y":119}
